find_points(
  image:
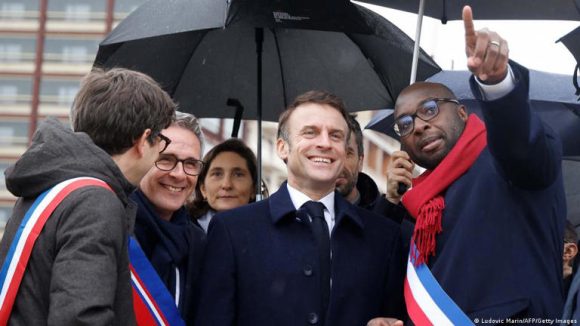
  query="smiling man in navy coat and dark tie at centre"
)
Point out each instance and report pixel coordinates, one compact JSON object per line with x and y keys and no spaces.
{"x":262,"y":262}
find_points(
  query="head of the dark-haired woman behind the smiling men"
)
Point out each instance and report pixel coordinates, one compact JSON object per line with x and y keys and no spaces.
{"x":227,"y":180}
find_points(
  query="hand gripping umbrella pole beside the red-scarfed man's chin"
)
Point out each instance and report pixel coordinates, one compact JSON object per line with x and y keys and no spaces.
{"x":399,"y":170}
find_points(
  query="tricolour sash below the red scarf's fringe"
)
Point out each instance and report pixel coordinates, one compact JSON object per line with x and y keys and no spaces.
{"x":427,"y":303}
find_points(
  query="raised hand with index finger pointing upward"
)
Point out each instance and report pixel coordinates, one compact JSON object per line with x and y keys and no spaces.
{"x":487,"y":53}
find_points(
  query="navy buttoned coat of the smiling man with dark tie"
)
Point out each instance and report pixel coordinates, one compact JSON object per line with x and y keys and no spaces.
{"x":261,"y":267}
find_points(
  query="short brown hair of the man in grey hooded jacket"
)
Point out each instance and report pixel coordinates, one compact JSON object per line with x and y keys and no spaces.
{"x":114,"y":107}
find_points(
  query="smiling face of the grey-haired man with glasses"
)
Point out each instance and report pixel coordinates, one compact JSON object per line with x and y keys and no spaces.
{"x":168,"y":190}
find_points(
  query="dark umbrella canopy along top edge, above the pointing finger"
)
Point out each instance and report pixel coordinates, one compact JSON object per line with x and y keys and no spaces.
{"x":445,"y":10}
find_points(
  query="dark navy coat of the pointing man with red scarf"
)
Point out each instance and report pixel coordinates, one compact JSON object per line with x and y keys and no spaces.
{"x":500,"y":252}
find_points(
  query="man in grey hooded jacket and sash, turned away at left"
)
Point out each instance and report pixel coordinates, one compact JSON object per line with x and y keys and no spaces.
{"x":78,"y":268}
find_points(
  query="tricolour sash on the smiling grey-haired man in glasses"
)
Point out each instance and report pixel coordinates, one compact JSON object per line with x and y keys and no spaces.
{"x":152,"y":302}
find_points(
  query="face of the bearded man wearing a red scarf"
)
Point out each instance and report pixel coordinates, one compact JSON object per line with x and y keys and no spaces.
{"x":430,"y":141}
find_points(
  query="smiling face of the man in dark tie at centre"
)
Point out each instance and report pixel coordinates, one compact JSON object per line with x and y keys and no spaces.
{"x":315,"y":150}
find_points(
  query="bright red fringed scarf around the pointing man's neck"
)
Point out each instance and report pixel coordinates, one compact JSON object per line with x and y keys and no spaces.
{"x":425,"y":201}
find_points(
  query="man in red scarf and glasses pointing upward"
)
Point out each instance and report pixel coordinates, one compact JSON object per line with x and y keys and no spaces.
{"x":490,"y":207}
